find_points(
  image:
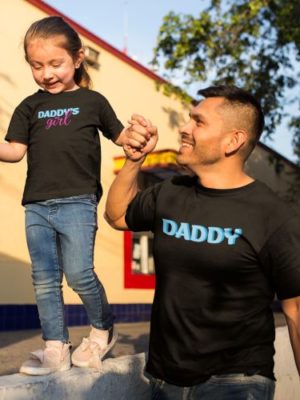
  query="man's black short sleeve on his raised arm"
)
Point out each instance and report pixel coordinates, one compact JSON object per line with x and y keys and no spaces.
{"x":140,"y":215}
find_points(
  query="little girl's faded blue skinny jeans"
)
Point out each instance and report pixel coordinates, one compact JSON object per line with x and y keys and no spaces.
{"x":61,"y":236}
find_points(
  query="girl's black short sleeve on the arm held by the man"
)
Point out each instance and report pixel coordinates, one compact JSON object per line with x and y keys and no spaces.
{"x":110,"y":125}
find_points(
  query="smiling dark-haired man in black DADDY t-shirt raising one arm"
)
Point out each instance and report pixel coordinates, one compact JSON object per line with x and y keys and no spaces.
{"x":224,"y":245}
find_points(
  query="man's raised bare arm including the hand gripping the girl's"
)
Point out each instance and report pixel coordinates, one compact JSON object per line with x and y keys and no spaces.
{"x":125,"y":187}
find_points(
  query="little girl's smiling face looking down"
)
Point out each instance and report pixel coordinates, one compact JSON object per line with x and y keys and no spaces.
{"x":52,"y":67}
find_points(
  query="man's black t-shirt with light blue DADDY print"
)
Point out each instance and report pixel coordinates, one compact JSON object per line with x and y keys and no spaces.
{"x":220,"y":257}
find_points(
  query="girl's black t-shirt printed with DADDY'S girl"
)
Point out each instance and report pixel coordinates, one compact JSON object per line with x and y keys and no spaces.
{"x":61,"y":131}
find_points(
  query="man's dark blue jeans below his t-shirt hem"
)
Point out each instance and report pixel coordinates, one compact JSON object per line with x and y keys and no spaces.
{"x":218,"y":387}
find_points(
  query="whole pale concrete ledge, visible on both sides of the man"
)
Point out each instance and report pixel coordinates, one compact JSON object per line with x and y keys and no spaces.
{"x":122,"y":378}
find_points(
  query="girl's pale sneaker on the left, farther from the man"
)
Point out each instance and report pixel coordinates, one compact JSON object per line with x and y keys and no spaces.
{"x":55,"y":357}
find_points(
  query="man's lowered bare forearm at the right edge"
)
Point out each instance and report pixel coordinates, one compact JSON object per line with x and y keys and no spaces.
{"x":291,"y":309}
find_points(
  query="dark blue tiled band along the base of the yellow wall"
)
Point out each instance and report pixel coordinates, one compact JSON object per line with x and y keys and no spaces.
{"x":17,"y":317}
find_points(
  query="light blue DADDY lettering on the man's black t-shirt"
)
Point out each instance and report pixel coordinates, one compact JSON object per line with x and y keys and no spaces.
{"x":201,"y":233}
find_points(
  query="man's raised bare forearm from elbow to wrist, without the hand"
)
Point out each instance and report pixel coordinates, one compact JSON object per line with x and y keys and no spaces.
{"x":121,"y":192}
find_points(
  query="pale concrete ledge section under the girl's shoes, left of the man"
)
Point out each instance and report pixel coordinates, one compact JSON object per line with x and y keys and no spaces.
{"x":122,"y":378}
